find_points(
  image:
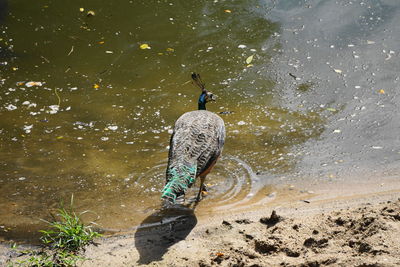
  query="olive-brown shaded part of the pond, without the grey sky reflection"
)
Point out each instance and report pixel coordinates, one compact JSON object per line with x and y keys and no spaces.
{"x":97,"y":120}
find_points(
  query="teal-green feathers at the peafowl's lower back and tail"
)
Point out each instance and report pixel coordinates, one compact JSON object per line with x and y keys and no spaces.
{"x":182,"y":178}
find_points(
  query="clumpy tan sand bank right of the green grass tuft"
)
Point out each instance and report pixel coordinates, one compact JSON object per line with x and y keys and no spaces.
{"x":361,"y":235}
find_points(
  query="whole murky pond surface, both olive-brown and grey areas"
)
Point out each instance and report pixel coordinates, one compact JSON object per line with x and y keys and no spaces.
{"x":96,"y":123}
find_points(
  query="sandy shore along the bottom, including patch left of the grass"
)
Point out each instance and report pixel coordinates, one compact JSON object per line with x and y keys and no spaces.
{"x":350,"y":229}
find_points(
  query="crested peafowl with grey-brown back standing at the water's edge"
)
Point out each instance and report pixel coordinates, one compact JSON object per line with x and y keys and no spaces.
{"x":196,"y":143}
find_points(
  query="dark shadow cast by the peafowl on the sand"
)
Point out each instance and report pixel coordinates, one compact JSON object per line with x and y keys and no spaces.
{"x":162,"y":229}
